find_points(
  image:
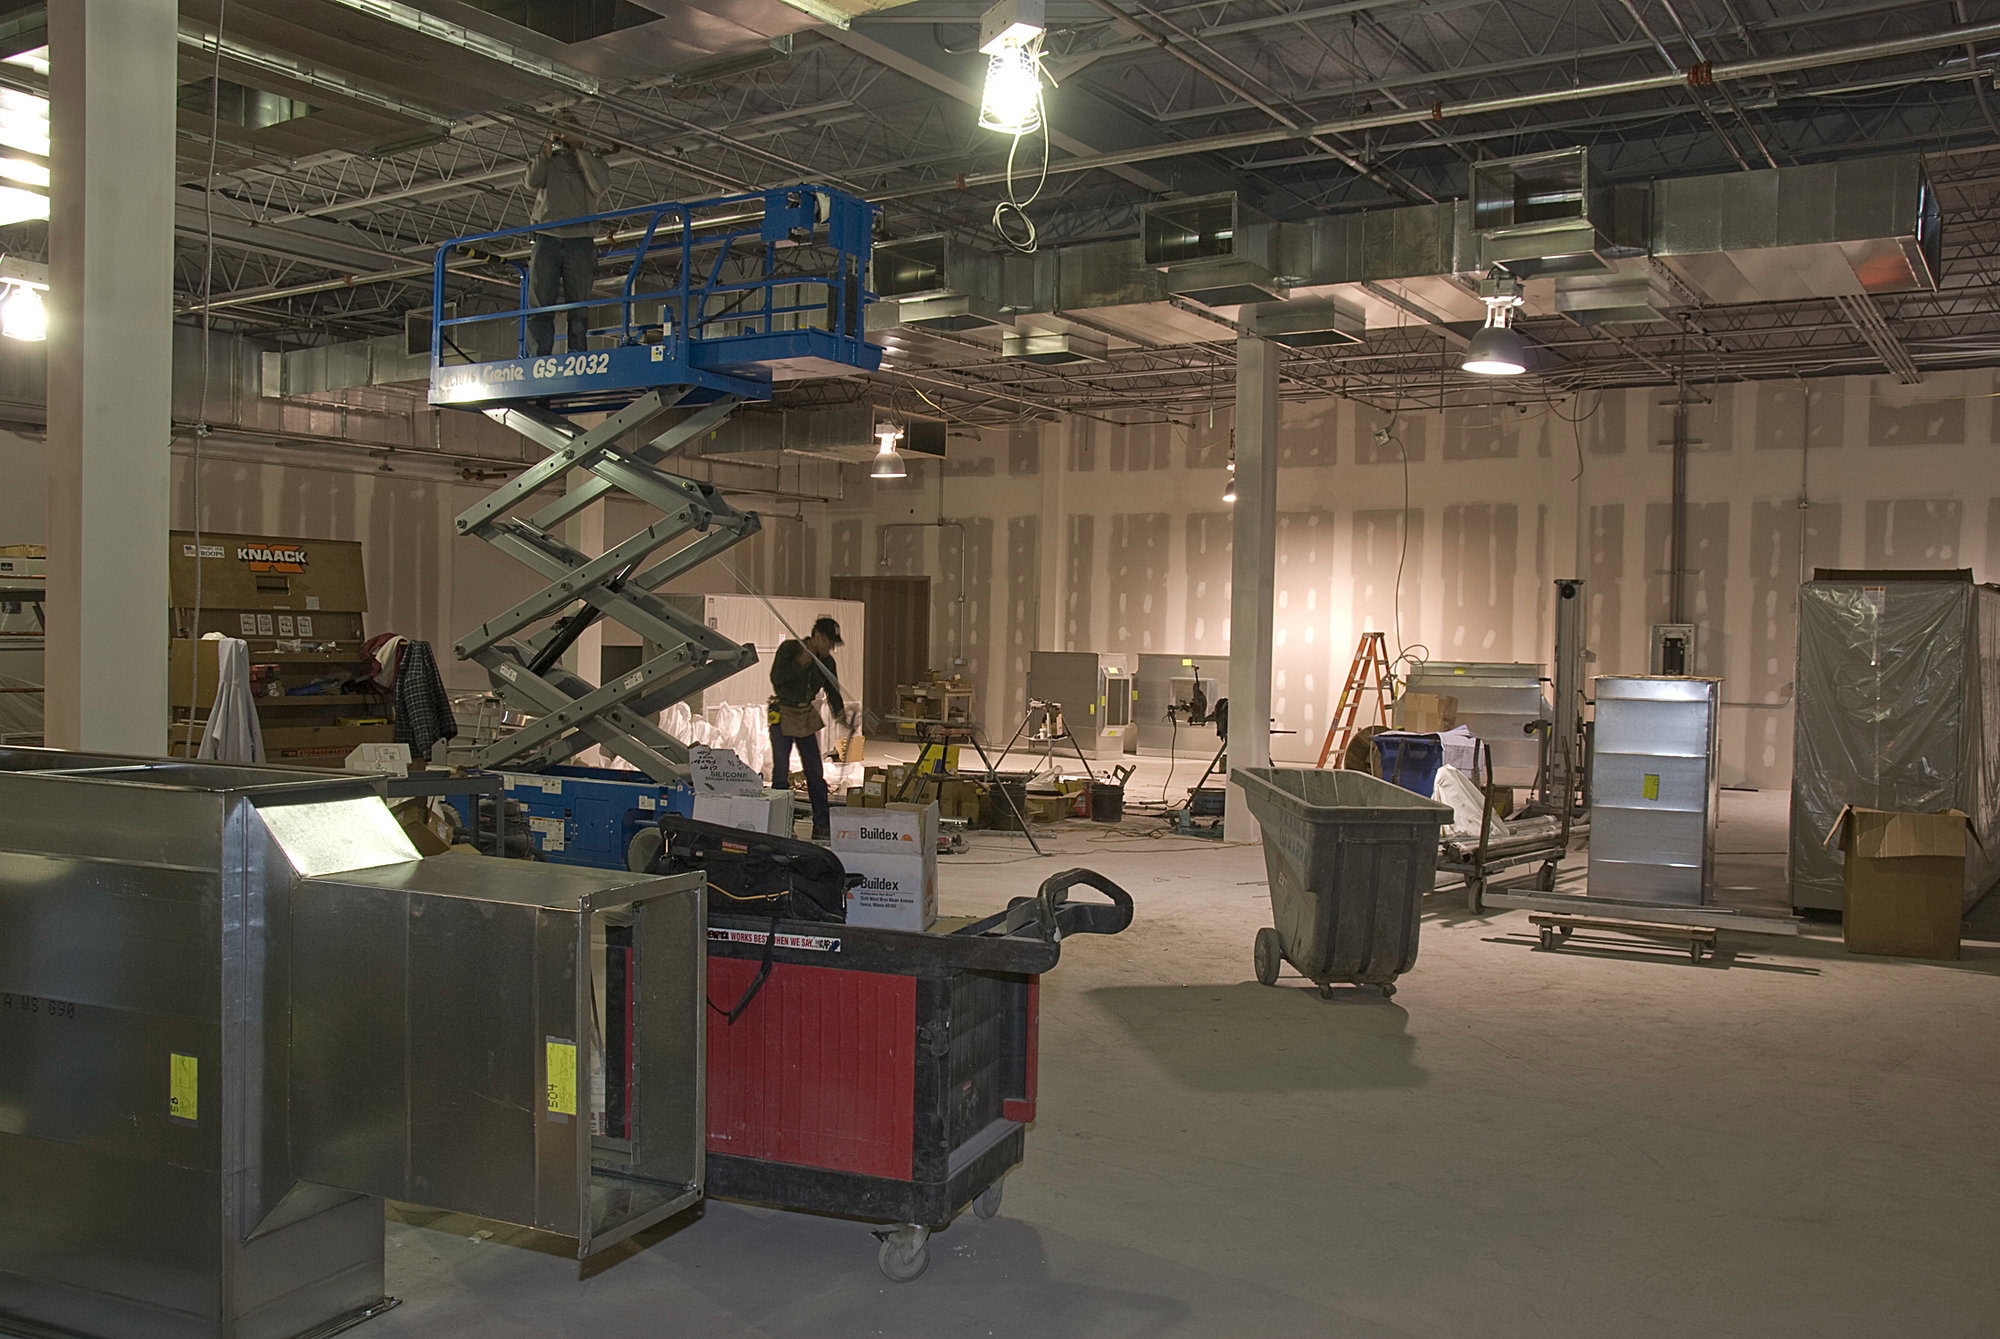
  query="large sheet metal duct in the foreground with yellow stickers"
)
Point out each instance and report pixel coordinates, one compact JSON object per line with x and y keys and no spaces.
{"x":191,"y":952}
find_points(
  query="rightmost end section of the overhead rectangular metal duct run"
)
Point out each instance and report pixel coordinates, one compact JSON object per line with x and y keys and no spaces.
{"x":1795,"y":235}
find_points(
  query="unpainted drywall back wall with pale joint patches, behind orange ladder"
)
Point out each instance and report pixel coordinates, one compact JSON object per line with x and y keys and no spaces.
{"x":1117,"y":539}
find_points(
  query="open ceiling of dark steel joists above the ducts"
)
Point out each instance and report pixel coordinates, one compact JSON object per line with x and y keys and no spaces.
{"x":421,"y":125}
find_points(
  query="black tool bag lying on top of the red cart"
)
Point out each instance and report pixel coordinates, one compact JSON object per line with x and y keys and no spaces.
{"x":757,"y":874}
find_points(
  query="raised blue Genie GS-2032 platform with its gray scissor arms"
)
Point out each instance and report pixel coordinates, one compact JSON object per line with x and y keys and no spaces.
{"x":717,"y":297}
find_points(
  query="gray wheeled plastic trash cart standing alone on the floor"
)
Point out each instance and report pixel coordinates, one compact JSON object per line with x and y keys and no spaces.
{"x":1349,"y":860}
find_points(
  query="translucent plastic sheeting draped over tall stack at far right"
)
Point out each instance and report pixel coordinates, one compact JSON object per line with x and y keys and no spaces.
{"x":1897,"y":686}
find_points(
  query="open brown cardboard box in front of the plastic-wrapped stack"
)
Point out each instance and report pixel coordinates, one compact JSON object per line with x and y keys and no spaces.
{"x":1905,"y":882}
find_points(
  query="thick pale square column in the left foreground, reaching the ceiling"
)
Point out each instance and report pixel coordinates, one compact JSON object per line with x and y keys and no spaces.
{"x":111,"y":371}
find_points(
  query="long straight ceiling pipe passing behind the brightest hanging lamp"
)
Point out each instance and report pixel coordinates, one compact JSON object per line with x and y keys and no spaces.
{"x":1483,"y":107}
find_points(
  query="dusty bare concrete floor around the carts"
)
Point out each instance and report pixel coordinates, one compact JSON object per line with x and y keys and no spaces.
{"x":1591,"y":1142}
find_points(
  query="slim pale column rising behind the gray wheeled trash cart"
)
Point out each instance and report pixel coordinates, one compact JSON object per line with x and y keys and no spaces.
{"x":1253,"y":571}
